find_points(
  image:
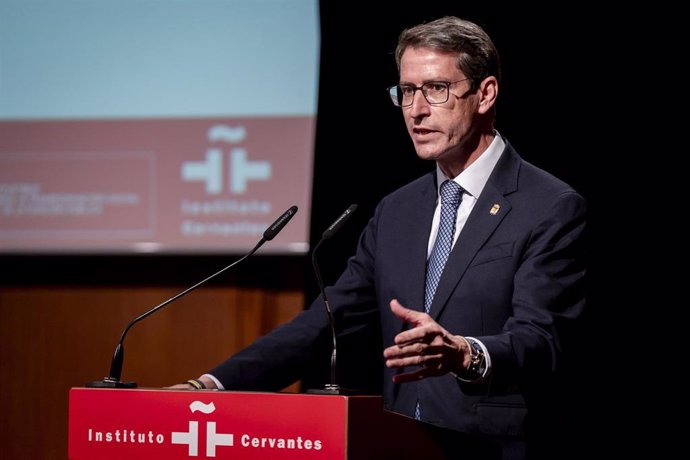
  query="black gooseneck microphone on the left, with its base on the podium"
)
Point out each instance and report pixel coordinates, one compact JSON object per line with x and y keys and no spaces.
{"x":113,"y":379}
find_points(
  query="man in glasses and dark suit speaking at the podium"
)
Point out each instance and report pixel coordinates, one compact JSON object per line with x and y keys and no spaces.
{"x":480,"y":356}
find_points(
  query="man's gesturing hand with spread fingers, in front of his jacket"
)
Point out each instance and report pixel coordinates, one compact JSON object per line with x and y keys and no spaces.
{"x":427,"y":345}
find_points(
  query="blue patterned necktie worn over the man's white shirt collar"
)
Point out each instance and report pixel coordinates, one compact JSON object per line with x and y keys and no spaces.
{"x":451,"y":193}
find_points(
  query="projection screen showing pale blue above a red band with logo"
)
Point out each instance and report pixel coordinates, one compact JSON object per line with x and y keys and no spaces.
{"x":165,"y":126}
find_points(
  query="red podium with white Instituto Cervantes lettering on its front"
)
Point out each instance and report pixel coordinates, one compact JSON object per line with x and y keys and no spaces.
{"x":166,"y":424}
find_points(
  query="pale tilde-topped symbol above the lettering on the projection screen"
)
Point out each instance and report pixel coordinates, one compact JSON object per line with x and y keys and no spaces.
{"x":240,"y":170}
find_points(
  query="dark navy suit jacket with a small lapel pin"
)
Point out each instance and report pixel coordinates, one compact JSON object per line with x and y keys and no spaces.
{"x":514,"y":280}
